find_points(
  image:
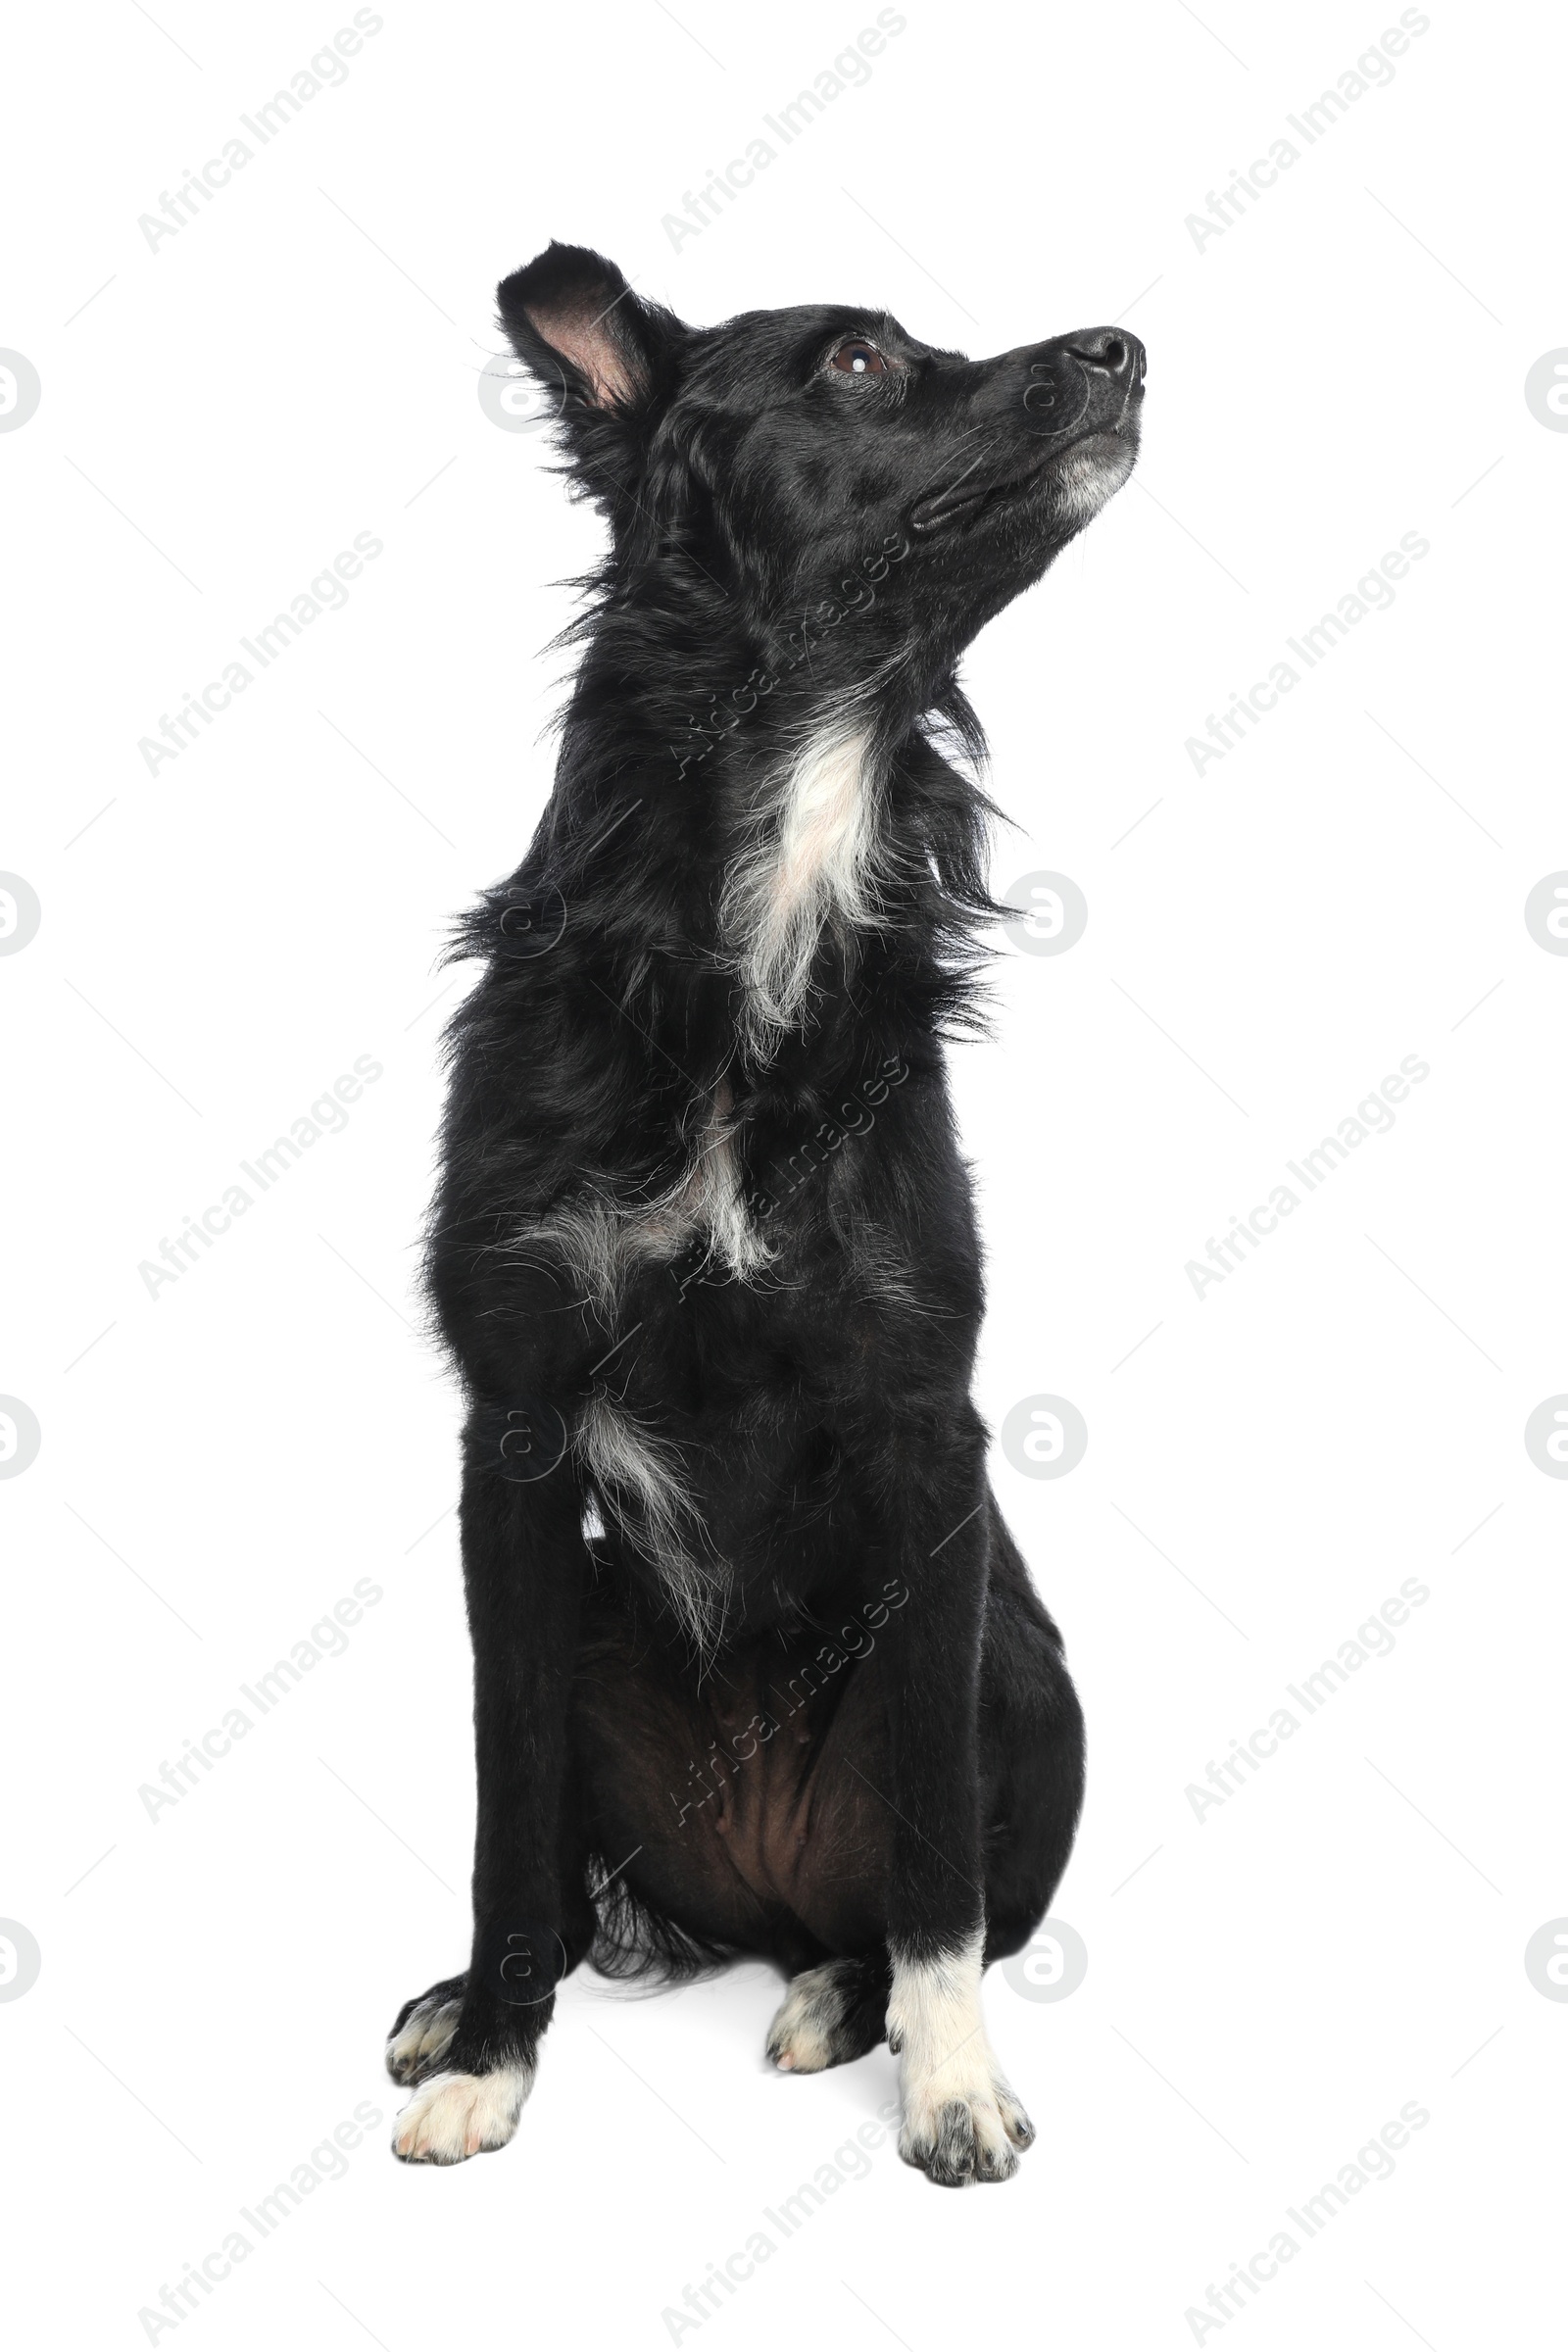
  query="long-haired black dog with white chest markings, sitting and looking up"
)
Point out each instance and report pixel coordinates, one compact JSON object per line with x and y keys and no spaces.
{"x":758,"y":1666}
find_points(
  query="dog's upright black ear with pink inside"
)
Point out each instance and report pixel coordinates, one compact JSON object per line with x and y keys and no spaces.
{"x":598,"y":352}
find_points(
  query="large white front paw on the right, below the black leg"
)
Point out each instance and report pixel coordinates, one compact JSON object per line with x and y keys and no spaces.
{"x":960,"y":2118}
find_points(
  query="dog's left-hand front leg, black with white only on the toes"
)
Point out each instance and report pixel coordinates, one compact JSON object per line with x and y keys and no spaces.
{"x":523,"y":1568}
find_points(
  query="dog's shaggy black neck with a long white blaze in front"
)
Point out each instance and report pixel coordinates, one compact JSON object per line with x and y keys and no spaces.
{"x":782,"y":831}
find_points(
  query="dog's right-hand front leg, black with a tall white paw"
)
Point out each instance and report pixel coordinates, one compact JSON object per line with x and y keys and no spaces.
{"x":960,"y":2118}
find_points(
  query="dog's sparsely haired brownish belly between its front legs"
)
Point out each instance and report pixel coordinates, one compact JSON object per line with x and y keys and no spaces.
{"x":751,"y":1798}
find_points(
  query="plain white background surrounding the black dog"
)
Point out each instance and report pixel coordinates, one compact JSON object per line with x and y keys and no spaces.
{"x":222,"y":1462}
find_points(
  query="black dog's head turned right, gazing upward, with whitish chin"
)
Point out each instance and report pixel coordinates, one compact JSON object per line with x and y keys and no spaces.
{"x":793,"y":453}
